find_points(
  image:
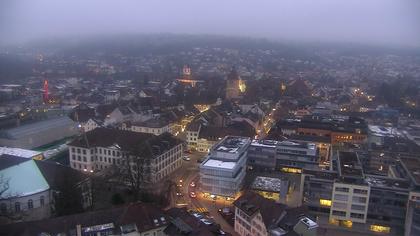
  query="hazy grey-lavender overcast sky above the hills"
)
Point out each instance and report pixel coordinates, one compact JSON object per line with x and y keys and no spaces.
{"x":383,"y":22}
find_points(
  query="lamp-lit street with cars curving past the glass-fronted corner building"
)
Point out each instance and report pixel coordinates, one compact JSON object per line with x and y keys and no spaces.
{"x":180,"y":195}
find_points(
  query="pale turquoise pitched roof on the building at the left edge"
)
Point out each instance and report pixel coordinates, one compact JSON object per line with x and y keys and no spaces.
{"x":23,"y":179}
